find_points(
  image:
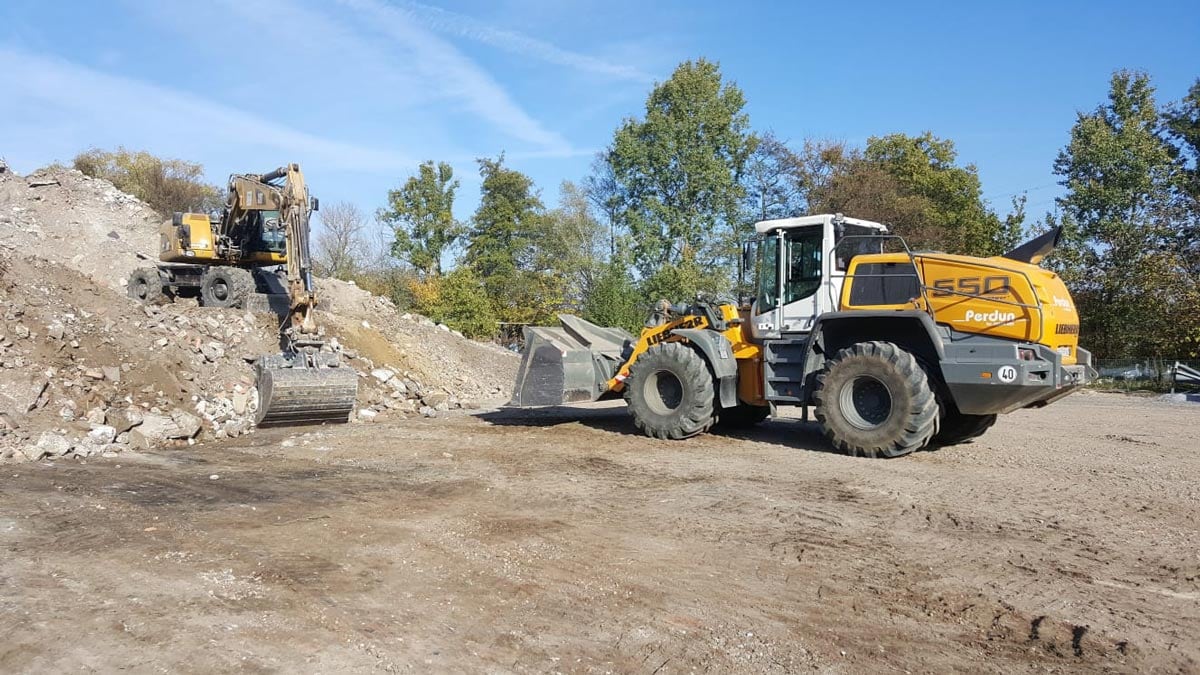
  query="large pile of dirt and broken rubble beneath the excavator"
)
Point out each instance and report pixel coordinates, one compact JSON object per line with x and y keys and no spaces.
{"x":87,"y":372}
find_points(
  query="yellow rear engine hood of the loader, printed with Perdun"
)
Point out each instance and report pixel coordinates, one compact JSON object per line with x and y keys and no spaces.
{"x":995,"y":297}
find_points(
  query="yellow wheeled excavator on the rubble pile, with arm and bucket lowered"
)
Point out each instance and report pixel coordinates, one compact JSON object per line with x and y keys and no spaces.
{"x":225,"y":259}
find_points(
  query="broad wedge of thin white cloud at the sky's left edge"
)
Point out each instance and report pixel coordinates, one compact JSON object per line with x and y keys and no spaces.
{"x":97,"y":107}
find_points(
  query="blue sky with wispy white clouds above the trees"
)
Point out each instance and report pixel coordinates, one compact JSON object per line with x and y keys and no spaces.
{"x":359,"y":92}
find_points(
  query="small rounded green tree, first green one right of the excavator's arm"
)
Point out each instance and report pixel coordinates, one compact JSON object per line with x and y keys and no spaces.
{"x":422,"y":217}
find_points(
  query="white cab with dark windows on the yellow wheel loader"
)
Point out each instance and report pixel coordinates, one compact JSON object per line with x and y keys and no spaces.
{"x":801,"y":270}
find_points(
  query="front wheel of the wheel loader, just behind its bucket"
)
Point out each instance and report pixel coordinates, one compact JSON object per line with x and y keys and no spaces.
{"x":670,"y":392}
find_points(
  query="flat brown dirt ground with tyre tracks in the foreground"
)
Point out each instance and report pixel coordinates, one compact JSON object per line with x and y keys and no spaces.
{"x":1066,"y":540}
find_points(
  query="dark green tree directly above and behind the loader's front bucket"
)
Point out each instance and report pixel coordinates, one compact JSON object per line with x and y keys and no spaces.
{"x":505,"y":247}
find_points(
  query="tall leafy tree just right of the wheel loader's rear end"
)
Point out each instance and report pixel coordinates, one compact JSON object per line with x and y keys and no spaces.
{"x":1127,"y":208}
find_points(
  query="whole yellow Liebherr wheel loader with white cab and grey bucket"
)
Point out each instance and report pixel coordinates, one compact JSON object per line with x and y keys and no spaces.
{"x":895,"y":351}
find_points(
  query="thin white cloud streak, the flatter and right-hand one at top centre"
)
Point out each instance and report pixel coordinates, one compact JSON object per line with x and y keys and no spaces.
{"x":463,"y":26}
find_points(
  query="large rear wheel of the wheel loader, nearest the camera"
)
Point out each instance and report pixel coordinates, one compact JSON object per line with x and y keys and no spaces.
{"x":873,"y":399}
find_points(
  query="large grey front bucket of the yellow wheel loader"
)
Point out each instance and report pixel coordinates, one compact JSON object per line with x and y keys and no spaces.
{"x":569,"y":365}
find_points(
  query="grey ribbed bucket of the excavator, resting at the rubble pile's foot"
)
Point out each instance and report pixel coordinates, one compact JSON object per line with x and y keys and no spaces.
{"x":304,"y":390}
